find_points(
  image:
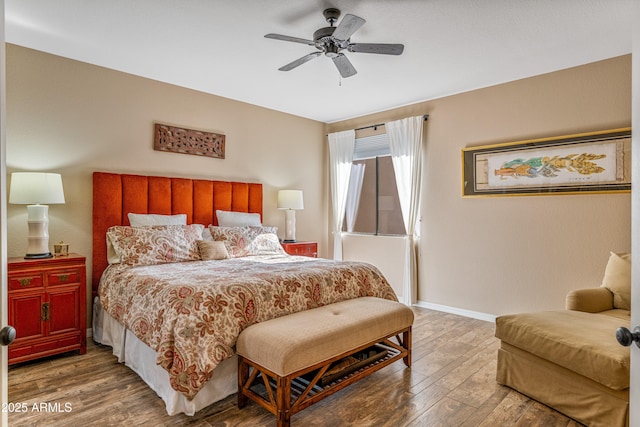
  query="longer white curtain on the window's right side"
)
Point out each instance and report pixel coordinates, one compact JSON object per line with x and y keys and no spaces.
{"x":405,"y":143}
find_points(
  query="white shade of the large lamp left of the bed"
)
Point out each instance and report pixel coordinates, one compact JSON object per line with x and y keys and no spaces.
{"x":31,"y":188}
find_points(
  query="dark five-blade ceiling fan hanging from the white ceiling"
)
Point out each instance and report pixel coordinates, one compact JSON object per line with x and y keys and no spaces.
{"x":331,"y":41}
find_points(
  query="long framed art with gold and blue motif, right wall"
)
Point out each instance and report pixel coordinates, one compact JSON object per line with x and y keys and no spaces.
{"x":594,"y":162}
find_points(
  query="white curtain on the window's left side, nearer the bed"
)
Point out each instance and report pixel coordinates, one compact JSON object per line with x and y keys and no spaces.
{"x":341,"y":146}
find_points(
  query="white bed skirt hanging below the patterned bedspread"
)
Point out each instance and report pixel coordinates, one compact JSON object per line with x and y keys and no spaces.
{"x":142,"y":360}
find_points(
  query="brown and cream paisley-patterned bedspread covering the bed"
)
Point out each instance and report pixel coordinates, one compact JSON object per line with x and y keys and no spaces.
{"x":191,"y":313}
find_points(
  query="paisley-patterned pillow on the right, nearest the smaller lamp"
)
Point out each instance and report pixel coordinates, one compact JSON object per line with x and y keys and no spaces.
{"x":248,"y":240}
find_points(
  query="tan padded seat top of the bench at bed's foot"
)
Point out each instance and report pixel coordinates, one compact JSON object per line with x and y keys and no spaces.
{"x":290,"y":343}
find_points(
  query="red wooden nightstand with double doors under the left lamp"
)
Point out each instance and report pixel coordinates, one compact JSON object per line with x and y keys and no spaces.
{"x":47,"y":306}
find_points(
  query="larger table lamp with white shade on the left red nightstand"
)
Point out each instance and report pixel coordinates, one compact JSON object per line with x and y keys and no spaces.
{"x":36,"y":190}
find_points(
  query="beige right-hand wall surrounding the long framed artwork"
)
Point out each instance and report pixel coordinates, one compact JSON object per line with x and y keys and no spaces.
{"x":500,"y":255}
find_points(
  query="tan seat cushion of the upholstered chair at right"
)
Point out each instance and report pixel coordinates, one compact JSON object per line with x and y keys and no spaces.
{"x":584,"y":343}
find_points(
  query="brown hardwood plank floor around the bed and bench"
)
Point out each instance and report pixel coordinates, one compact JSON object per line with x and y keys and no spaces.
{"x":451,"y":383}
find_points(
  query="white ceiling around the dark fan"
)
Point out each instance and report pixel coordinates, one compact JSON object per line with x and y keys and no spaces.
{"x":218,"y":46}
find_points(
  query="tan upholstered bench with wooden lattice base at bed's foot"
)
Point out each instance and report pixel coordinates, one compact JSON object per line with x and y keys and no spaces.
{"x":284,"y":364}
